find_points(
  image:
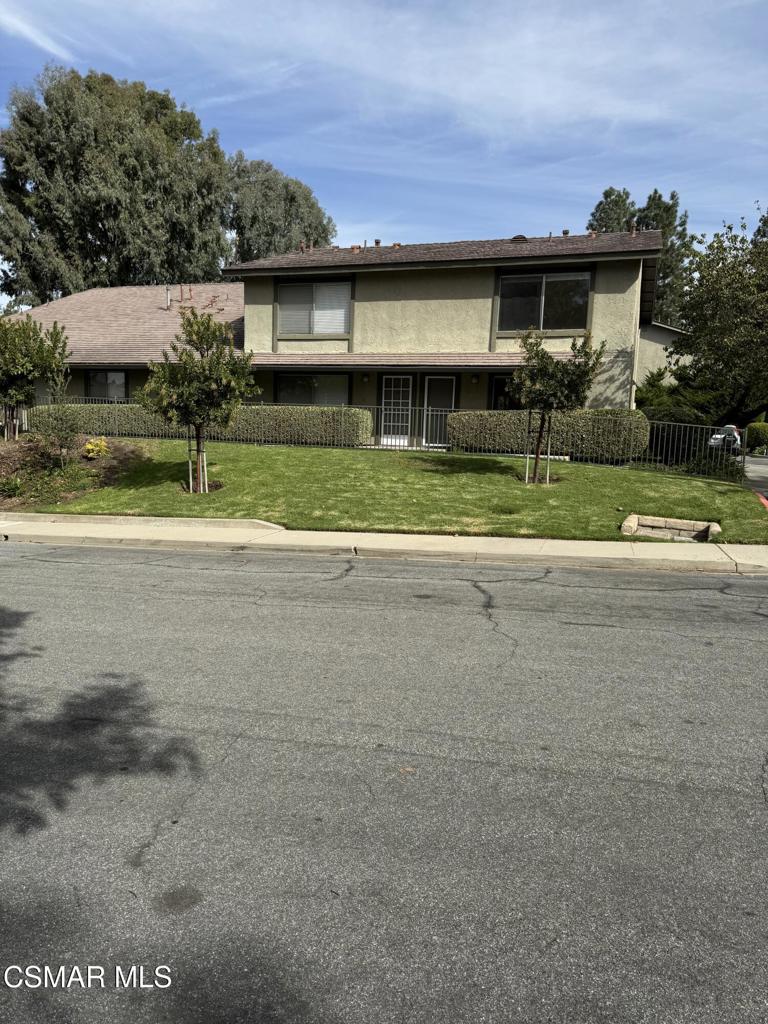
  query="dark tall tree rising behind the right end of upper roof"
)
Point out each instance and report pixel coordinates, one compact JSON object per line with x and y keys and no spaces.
{"x":617,"y":211}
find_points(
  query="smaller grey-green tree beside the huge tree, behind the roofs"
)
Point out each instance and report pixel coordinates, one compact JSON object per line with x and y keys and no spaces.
{"x":271,"y":214}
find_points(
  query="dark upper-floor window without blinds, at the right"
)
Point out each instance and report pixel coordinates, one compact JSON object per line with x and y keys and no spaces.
{"x":545,"y":302}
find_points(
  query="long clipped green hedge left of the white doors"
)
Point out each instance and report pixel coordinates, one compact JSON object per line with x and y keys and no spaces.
{"x":327,"y":425}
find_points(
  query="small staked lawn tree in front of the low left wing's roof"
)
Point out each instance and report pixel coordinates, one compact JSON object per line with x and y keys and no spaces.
{"x":200,"y":385}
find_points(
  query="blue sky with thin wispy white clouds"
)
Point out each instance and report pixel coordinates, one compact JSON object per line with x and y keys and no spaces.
{"x":438,"y":120}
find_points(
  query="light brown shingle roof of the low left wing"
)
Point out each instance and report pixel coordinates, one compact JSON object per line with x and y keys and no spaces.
{"x":131,"y":326}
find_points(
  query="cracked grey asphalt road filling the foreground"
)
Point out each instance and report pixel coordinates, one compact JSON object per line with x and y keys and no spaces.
{"x":381,"y":792}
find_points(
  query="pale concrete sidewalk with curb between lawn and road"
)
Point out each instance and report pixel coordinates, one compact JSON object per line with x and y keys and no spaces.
{"x":253,"y":535}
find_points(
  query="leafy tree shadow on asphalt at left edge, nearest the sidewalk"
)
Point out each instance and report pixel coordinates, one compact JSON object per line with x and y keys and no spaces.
{"x":102,"y":731}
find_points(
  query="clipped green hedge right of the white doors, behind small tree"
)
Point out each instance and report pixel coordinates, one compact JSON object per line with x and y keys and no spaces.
{"x":594,"y":435}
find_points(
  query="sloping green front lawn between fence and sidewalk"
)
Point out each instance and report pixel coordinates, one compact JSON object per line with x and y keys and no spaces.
{"x":417,"y":492}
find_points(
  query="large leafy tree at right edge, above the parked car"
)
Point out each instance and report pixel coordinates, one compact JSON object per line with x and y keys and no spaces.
{"x":726,"y":311}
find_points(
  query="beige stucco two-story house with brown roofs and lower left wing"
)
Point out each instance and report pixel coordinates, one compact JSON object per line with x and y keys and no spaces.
{"x":402,"y":327}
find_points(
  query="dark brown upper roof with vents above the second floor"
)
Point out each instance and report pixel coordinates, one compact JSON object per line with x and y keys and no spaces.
{"x":490,"y":251}
